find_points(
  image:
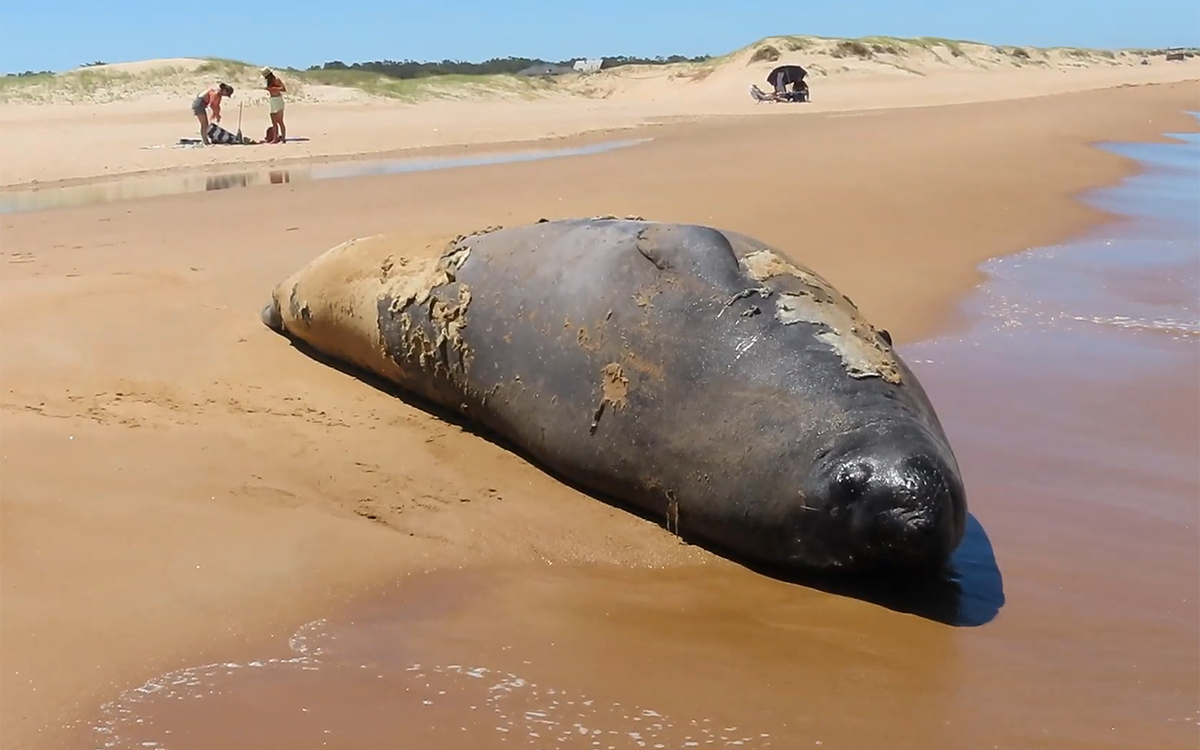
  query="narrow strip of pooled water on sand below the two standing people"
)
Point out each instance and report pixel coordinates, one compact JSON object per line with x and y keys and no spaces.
{"x":147,"y":187}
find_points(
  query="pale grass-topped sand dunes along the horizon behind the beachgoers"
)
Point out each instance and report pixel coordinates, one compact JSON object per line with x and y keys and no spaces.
{"x":825,"y":58}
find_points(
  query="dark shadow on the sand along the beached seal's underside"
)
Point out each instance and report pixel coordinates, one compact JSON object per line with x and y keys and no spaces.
{"x":969,"y":593}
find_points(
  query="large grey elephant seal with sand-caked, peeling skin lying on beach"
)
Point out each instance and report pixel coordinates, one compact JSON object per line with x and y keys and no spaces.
{"x":694,"y":374}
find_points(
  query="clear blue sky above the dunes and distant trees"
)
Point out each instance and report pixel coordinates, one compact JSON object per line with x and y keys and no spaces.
{"x":63,"y":34}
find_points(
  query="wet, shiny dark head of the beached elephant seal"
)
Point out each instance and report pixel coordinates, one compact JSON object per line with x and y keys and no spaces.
{"x":886,"y":496}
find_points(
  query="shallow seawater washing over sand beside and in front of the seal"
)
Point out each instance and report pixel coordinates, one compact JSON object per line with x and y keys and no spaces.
{"x":1075,"y":407}
